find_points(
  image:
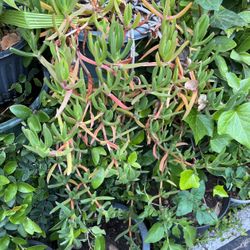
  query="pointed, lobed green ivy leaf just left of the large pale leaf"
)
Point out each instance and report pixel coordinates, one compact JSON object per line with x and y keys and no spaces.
{"x":200,"y":124}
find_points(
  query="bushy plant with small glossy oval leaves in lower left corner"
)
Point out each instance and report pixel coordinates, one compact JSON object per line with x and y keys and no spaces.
{"x":15,"y":199}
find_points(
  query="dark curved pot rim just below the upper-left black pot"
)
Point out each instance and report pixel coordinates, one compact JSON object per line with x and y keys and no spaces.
{"x":14,"y":125}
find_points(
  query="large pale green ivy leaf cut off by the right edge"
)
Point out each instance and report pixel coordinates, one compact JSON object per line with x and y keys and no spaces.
{"x":236,"y":123}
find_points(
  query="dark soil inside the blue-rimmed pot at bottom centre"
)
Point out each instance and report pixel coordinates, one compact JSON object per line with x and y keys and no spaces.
{"x":113,"y":228}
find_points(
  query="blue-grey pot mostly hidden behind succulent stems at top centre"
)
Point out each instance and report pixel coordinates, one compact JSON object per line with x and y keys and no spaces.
{"x":138,"y":34}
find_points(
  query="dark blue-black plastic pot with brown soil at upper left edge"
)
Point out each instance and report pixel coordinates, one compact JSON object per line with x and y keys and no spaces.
{"x":11,"y":67}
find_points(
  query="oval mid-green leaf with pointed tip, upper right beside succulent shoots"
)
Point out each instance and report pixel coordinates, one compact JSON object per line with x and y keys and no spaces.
{"x":222,"y":44}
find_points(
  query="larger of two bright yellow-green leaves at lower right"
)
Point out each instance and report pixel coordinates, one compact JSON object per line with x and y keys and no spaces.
{"x":189,"y":179}
